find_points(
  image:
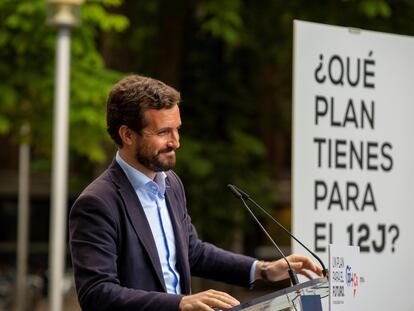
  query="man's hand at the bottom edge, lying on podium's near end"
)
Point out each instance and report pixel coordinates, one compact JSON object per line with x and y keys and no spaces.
{"x":207,"y":300}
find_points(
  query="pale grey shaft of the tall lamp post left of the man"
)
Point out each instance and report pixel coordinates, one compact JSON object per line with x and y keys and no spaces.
{"x":58,"y":216}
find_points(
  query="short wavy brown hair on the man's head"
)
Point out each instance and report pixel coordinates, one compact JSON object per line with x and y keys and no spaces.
{"x":131,"y":97}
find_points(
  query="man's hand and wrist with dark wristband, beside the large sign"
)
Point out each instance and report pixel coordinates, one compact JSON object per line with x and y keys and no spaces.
{"x":278,"y":270}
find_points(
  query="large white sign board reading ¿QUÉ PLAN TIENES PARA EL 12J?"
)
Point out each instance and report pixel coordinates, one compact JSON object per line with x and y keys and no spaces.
{"x":353,"y":153}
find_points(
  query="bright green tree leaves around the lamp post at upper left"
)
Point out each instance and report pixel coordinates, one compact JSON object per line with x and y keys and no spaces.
{"x":27,"y":51}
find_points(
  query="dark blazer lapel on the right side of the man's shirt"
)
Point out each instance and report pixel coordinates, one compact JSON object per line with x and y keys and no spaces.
{"x":180,"y":245}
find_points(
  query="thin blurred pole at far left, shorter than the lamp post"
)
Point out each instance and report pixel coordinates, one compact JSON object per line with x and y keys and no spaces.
{"x":23,"y":220}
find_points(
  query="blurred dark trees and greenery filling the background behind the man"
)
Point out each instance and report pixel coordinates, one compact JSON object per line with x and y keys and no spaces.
{"x":232,"y":62}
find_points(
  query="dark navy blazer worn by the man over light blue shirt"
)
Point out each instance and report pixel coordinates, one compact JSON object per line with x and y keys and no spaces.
{"x":115,"y":260}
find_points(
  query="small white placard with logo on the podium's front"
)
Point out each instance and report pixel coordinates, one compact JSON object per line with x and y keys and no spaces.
{"x":344,"y":279}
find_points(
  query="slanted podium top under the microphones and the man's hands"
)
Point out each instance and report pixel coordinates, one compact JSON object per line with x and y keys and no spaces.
{"x":305,"y":296}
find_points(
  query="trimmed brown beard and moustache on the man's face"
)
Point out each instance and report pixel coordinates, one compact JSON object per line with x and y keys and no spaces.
{"x":156,"y":163}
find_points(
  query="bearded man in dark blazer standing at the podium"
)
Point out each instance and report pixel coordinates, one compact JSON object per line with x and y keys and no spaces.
{"x":132,"y":242}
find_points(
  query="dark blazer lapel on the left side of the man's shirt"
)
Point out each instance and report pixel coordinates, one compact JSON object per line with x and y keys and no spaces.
{"x":137,"y":217}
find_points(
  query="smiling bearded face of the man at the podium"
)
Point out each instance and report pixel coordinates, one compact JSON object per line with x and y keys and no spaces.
{"x":155,"y":148}
